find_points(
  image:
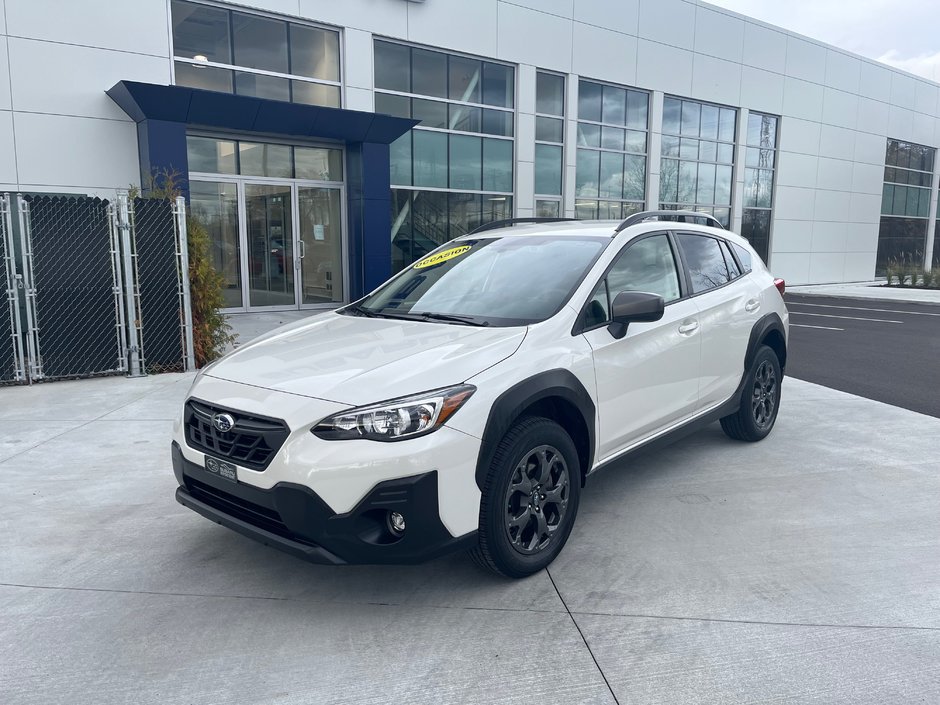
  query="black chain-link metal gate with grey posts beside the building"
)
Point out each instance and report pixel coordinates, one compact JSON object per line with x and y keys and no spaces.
{"x":90,"y":283}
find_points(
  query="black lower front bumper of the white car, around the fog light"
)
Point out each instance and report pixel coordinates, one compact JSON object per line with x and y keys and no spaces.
{"x":294,"y":519}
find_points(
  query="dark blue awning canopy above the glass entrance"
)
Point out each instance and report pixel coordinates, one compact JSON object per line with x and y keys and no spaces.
{"x":224,"y":111}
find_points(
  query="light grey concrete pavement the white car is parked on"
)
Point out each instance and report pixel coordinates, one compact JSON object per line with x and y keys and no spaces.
{"x":803,"y":568}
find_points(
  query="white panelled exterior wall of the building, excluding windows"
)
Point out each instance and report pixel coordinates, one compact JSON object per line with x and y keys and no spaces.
{"x":60,"y":132}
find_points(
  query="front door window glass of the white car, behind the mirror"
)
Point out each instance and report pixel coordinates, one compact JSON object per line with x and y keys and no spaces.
{"x":647,"y":265}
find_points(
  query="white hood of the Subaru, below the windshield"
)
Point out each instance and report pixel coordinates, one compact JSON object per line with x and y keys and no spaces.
{"x":353,"y":360}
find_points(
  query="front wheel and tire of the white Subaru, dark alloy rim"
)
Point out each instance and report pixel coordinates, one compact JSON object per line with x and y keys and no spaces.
{"x":525,"y":520}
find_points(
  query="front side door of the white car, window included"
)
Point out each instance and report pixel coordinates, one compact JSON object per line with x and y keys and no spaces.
{"x":647,"y":380}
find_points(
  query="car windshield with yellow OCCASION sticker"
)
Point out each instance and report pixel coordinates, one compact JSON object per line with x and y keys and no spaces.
{"x":501,"y":281}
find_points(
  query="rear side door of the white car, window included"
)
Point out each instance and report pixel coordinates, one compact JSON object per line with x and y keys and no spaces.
{"x":727,"y":309}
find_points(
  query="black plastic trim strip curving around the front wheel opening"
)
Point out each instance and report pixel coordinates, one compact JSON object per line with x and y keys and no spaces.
{"x":511,"y":405}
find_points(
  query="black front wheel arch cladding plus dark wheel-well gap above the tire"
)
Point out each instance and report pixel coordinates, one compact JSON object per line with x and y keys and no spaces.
{"x":555,"y":394}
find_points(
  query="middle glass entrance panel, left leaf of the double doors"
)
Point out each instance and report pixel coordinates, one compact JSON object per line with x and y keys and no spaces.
{"x":269,"y":229}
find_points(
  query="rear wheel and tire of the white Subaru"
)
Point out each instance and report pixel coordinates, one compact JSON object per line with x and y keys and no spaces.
{"x":760,"y":399}
